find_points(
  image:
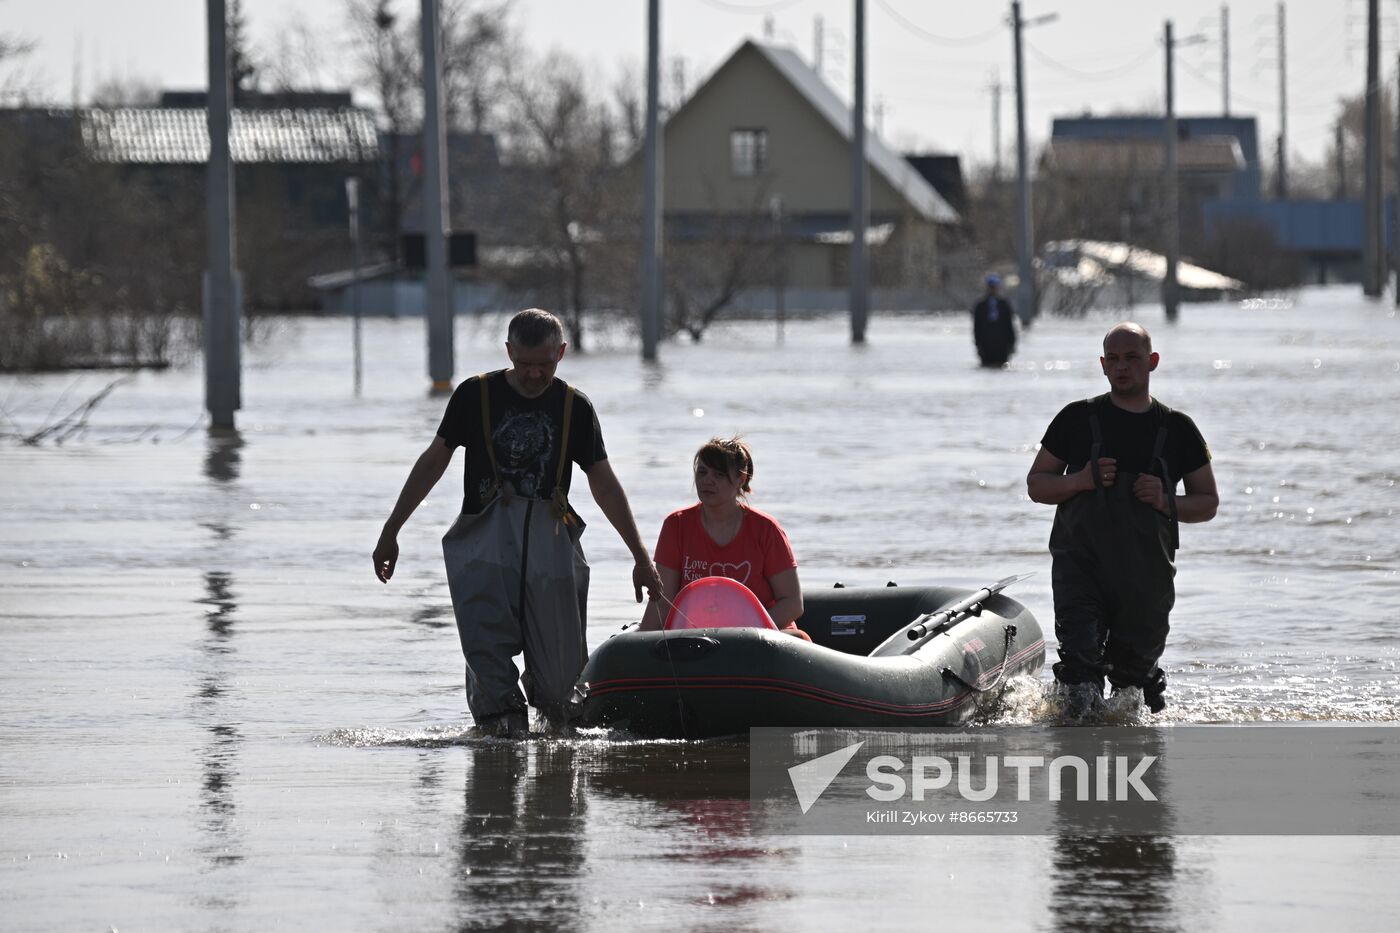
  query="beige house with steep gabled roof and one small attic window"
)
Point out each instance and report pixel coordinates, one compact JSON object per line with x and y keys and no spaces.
{"x":766,"y":138}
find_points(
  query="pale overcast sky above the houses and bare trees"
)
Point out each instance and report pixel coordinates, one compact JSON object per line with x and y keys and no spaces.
{"x":932,"y":64}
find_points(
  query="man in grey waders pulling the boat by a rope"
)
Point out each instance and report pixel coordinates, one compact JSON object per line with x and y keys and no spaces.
{"x":514,"y":567}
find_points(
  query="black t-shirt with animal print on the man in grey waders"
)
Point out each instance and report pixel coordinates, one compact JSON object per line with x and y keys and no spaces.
{"x":526,"y":434}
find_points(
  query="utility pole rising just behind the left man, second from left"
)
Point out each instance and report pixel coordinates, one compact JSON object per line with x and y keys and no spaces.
{"x":439,"y":286}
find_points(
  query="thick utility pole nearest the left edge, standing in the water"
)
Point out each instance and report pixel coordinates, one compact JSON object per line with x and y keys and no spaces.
{"x":223,"y":291}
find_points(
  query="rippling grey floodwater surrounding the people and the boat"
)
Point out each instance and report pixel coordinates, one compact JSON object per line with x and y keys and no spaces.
{"x":212,"y":717}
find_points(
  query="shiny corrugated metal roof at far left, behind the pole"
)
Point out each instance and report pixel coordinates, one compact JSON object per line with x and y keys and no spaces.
{"x":157,"y":135}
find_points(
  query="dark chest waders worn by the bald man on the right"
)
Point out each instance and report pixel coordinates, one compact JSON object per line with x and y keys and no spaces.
{"x":1112,"y":575}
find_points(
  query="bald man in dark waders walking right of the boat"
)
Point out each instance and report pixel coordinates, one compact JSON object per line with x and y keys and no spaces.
{"x":1111,"y":466}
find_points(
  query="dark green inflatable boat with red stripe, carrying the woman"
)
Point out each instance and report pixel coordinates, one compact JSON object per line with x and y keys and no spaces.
{"x":877,"y":656}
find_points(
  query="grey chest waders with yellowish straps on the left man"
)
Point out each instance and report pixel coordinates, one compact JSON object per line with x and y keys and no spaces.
{"x":520,"y":583}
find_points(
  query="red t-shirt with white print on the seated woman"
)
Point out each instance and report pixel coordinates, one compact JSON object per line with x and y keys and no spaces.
{"x":757,"y":554}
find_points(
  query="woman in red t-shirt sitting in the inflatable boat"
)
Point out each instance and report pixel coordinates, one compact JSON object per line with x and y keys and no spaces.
{"x":724,"y":537}
